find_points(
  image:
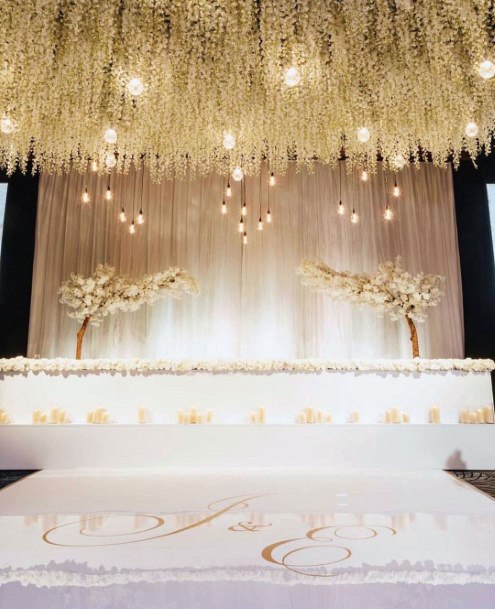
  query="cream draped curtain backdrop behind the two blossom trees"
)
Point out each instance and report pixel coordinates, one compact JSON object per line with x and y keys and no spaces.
{"x":252,"y":304}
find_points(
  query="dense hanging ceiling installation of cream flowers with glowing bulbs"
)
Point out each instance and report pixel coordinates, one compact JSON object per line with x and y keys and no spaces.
{"x":202,"y":86}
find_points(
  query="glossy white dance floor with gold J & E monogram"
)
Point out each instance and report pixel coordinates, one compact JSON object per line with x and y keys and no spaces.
{"x":250,"y":539}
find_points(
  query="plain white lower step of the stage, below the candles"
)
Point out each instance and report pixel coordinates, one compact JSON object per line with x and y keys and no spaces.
{"x":243,"y":446}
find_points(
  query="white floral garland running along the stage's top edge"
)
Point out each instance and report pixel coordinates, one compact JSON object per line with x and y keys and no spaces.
{"x":63,"y":365}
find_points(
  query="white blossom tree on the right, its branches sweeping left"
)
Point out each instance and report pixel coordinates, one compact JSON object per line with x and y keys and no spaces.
{"x":391,"y":290}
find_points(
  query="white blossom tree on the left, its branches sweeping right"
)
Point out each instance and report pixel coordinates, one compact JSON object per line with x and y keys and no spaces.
{"x":104,"y":293}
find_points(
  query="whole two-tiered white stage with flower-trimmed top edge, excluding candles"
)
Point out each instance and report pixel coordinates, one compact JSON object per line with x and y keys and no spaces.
{"x":233,"y":391}
